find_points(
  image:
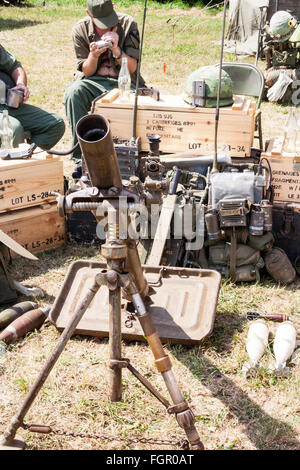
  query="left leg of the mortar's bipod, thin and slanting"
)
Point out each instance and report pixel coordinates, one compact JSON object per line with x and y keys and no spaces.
{"x":8,"y":440}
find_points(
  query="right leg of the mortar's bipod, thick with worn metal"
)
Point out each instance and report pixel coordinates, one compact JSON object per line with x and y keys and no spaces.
{"x":184,"y":415}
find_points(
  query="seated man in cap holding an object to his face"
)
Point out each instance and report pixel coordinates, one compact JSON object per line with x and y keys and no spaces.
{"x":98,"y":67}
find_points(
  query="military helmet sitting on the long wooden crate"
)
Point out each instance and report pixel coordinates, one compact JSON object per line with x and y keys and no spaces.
{"x":211,"y":76}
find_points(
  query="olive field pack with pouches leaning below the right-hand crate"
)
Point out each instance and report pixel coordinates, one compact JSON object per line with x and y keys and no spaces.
{"x":239,"y":226}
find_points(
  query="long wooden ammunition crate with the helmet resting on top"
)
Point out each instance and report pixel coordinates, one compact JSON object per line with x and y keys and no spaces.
{"x":184,"y":128}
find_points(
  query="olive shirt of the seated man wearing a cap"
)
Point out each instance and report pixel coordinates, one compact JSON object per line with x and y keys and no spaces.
{"x":84,"y":33}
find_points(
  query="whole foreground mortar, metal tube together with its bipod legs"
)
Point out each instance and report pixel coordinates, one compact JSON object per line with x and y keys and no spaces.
{"x":123,"y":277}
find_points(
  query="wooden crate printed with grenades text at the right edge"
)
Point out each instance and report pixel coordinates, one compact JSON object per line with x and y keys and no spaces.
{"x":285,"y":172}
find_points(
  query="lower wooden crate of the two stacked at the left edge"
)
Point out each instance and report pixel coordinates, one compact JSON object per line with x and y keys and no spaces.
{"x":38,"y":228}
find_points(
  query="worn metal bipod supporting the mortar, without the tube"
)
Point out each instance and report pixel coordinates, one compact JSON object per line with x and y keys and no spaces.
{"x":115,"y":279}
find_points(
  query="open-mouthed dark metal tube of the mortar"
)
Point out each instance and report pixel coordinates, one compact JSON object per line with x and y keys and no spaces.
{"x":94,"y":137}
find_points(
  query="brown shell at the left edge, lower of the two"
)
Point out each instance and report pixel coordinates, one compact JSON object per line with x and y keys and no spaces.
{"x":29,"y":321}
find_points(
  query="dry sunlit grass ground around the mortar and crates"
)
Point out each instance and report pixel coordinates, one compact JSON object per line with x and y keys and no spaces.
{"x":232,"y":412}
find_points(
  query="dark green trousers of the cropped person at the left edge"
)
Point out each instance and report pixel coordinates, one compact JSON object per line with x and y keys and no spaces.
{"x":41,"y":127}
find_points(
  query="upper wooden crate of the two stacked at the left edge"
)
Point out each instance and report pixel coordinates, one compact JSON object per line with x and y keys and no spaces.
{"x":26,"y":183}
